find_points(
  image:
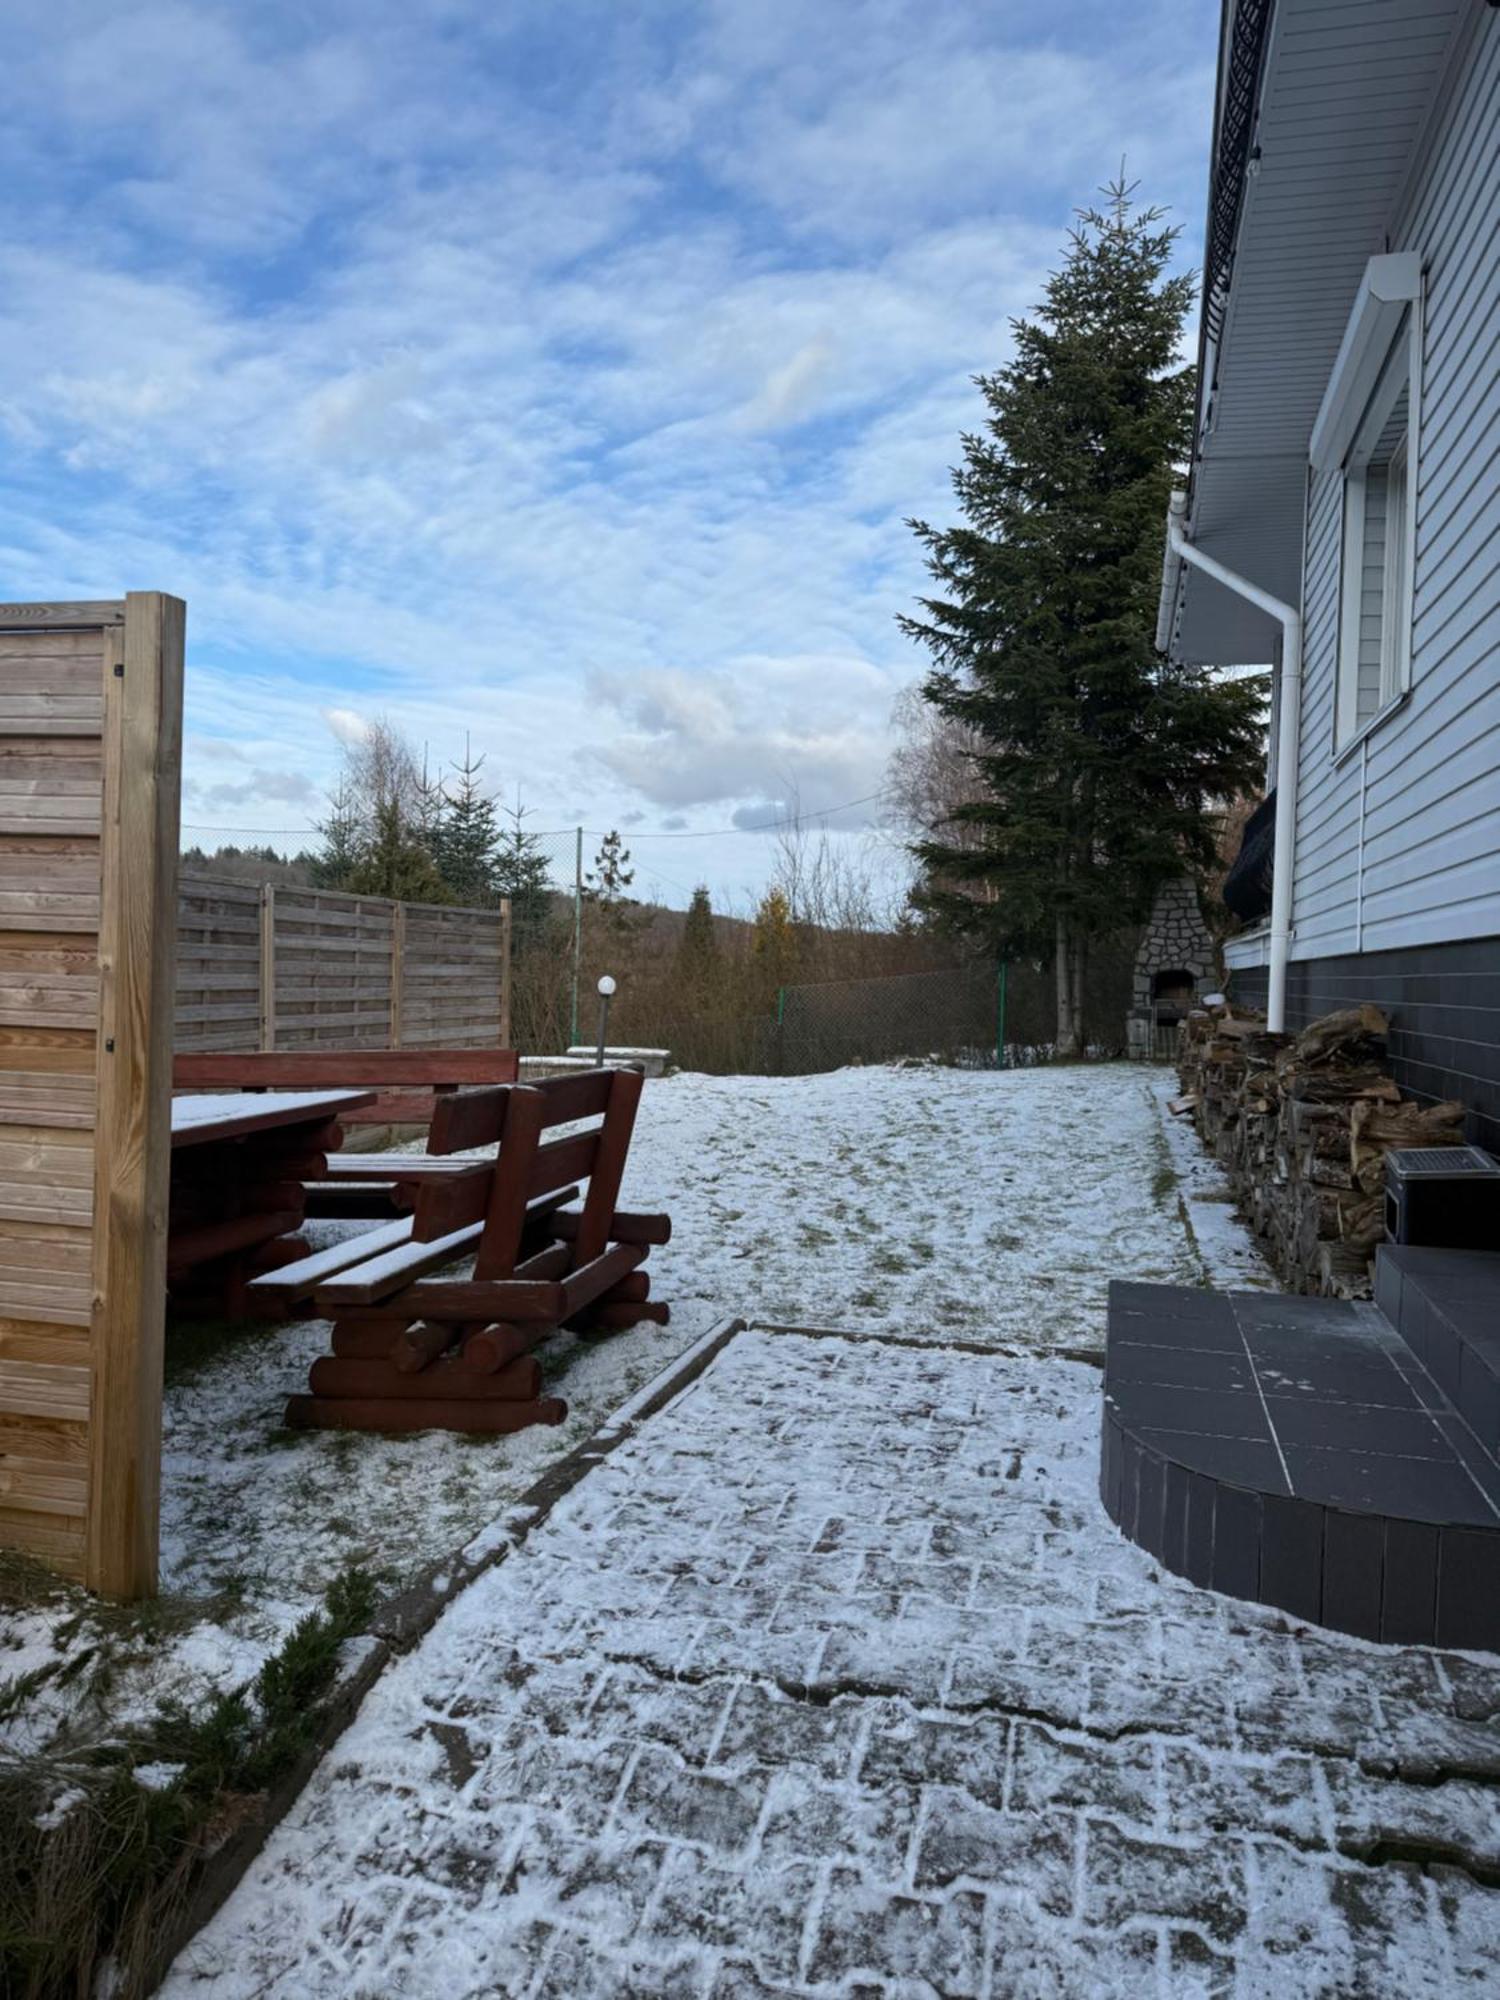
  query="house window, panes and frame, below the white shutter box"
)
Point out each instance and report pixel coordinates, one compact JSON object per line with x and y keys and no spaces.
{"x":1375,"y":639}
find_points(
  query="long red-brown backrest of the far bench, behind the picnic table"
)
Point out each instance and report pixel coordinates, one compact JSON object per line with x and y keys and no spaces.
{"x":411,"y":1081}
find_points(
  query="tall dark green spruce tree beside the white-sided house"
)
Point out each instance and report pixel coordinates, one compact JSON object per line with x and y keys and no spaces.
{"x":1103,"y":765}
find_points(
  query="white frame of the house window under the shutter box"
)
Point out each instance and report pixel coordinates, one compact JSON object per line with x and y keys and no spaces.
{"x":1397,"y":375}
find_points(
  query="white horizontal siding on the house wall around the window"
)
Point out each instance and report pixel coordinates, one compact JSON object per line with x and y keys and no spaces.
{"x":1399,"y":843}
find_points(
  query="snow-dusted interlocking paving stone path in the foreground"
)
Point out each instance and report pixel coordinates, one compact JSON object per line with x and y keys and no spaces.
{"x":837,"y":1681}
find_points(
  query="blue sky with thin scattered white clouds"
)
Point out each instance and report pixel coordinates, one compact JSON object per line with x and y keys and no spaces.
{"x":559,"y":373}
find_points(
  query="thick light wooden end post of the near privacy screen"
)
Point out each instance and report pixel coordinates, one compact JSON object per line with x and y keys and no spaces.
{"x":137,"y":955}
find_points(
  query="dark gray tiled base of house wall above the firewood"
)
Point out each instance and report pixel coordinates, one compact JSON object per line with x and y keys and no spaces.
{"x":1445,"y":1017}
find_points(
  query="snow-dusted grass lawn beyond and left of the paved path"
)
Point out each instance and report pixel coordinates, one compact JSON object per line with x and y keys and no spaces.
{"x":937,"y":1205}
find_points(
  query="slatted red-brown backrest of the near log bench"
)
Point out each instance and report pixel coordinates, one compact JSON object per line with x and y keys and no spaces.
{"x":529,"y":1167}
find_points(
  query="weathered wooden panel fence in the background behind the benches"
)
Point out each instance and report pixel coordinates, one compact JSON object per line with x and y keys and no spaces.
{"x":265,"y":967}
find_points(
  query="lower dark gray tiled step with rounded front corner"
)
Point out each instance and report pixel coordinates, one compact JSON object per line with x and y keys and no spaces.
{"x":1299,"y":1453}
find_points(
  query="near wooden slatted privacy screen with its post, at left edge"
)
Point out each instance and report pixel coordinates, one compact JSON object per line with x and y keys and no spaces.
{"x":91,"y":737}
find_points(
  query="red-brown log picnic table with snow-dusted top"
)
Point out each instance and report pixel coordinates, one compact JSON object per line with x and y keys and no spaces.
{"x":241,"y":1163}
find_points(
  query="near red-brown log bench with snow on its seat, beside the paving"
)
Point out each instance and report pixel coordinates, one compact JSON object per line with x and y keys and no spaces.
{"x":417,"y":1349}
